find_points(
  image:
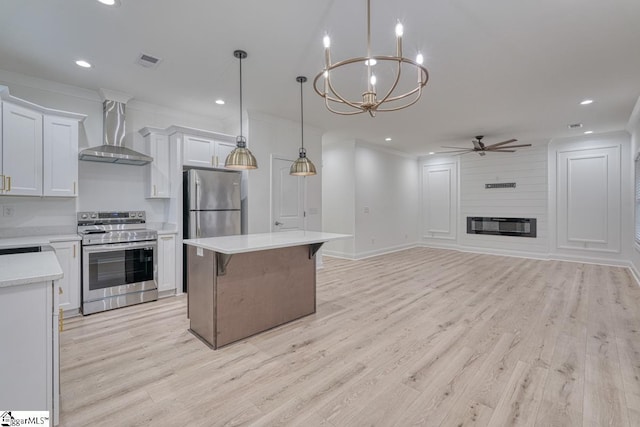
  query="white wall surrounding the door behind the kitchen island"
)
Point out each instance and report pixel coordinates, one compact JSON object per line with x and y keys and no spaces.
{"x":268,"y":136}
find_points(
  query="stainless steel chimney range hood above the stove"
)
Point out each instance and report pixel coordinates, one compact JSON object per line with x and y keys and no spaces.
{"x":113,"y":149}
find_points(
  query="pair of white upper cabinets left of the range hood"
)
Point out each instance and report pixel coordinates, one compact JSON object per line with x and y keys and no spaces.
{"x":38,"y":149}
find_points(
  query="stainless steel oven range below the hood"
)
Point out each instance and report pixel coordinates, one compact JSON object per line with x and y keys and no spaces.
{"x":119,"y":260}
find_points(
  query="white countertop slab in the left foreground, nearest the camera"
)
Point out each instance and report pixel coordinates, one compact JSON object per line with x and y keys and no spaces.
{"x":34,"y":267}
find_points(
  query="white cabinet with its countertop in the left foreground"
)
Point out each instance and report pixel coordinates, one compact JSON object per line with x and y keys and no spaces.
{"x":29,"y":333}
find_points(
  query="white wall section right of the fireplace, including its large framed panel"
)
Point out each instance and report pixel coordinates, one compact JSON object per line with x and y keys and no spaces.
{"x":570,"y":238}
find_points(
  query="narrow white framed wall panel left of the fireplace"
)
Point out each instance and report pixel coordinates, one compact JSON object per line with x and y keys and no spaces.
{"x":439,"y":191}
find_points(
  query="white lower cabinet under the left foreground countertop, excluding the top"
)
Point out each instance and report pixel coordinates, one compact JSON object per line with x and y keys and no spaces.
{"x":29,"y":334}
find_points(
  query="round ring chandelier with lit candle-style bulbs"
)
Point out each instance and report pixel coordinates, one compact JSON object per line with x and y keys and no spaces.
{"x":339,"y":104}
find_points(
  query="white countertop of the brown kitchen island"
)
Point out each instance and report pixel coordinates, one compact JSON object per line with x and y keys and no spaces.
{"x":263,"y":241}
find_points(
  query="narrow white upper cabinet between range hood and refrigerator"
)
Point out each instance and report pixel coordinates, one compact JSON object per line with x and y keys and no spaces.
{"x":159,"y":170}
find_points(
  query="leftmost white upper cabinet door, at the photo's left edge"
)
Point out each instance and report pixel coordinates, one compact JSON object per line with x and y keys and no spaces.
{"x":21,"y":151}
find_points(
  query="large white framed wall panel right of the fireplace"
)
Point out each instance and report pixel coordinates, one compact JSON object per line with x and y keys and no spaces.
{"x":589,"y":199}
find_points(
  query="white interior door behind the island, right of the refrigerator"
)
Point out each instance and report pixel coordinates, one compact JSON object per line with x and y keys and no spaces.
{"x":287,"y":197}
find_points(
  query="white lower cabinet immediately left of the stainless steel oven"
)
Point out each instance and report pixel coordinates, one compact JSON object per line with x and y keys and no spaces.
{"x":68,"y":254}
